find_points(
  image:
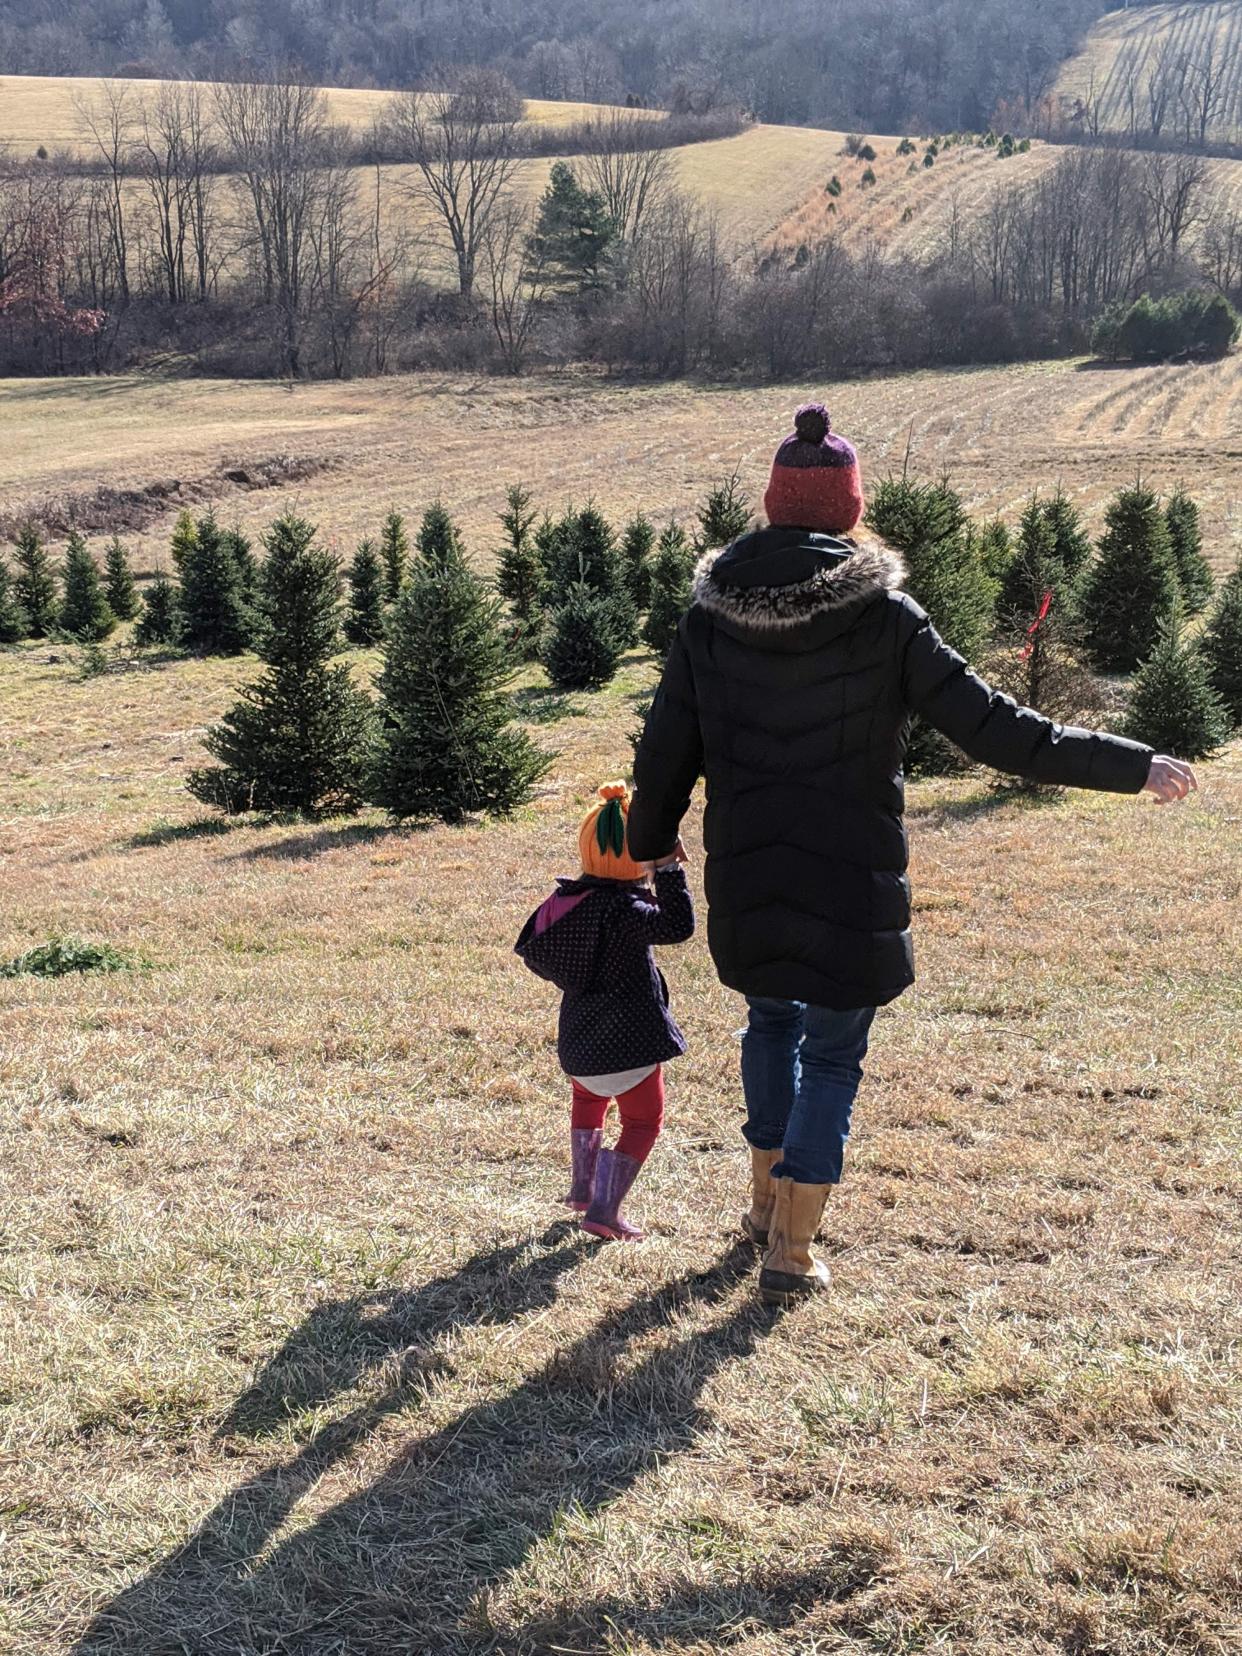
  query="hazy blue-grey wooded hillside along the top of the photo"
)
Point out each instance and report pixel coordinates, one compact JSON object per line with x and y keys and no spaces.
{"x":882,"y":64}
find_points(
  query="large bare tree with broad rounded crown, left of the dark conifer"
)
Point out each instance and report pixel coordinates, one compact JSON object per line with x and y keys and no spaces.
{"x":465,"y":155}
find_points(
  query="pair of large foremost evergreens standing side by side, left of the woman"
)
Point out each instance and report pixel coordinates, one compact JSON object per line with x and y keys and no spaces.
{"x":438,"y":738}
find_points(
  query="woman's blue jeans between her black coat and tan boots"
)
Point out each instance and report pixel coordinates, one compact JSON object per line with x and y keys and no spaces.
{"x":801,"y":1072}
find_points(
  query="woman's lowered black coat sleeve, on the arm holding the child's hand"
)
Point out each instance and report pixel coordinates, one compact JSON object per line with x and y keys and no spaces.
{"x":668,"y":761}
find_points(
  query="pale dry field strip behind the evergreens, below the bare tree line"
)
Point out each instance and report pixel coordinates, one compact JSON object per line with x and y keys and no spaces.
{"x":367,"y":445}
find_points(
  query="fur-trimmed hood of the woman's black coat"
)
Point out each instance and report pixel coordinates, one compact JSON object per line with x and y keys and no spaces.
{"x":777,"y":579}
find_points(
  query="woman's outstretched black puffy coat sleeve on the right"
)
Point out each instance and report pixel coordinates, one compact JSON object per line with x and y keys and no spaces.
{"x":994,"y":729}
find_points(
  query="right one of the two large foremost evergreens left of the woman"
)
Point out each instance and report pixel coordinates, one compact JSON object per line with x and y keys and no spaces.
{"x":448,"y":743}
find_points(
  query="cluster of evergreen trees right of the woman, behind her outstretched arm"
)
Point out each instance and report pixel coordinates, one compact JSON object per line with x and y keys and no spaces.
{"x":1046,"y":610}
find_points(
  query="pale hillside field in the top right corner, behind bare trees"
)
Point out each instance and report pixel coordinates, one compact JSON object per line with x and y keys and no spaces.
{"x":1130,"y":42}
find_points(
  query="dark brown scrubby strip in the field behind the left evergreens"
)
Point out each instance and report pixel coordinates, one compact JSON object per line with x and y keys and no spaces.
{"x":125,"y":511}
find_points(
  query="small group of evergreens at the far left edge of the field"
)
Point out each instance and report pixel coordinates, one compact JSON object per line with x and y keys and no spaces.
{"x":74,"y":602}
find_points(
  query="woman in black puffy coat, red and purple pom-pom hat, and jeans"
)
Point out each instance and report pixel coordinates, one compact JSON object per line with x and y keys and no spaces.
{"x":791,"y":688}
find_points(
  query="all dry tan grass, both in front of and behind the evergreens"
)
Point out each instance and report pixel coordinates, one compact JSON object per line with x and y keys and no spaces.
{"x":297,"y":1352}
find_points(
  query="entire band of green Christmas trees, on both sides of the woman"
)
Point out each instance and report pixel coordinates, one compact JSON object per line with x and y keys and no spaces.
{"x":438,"y":733}
